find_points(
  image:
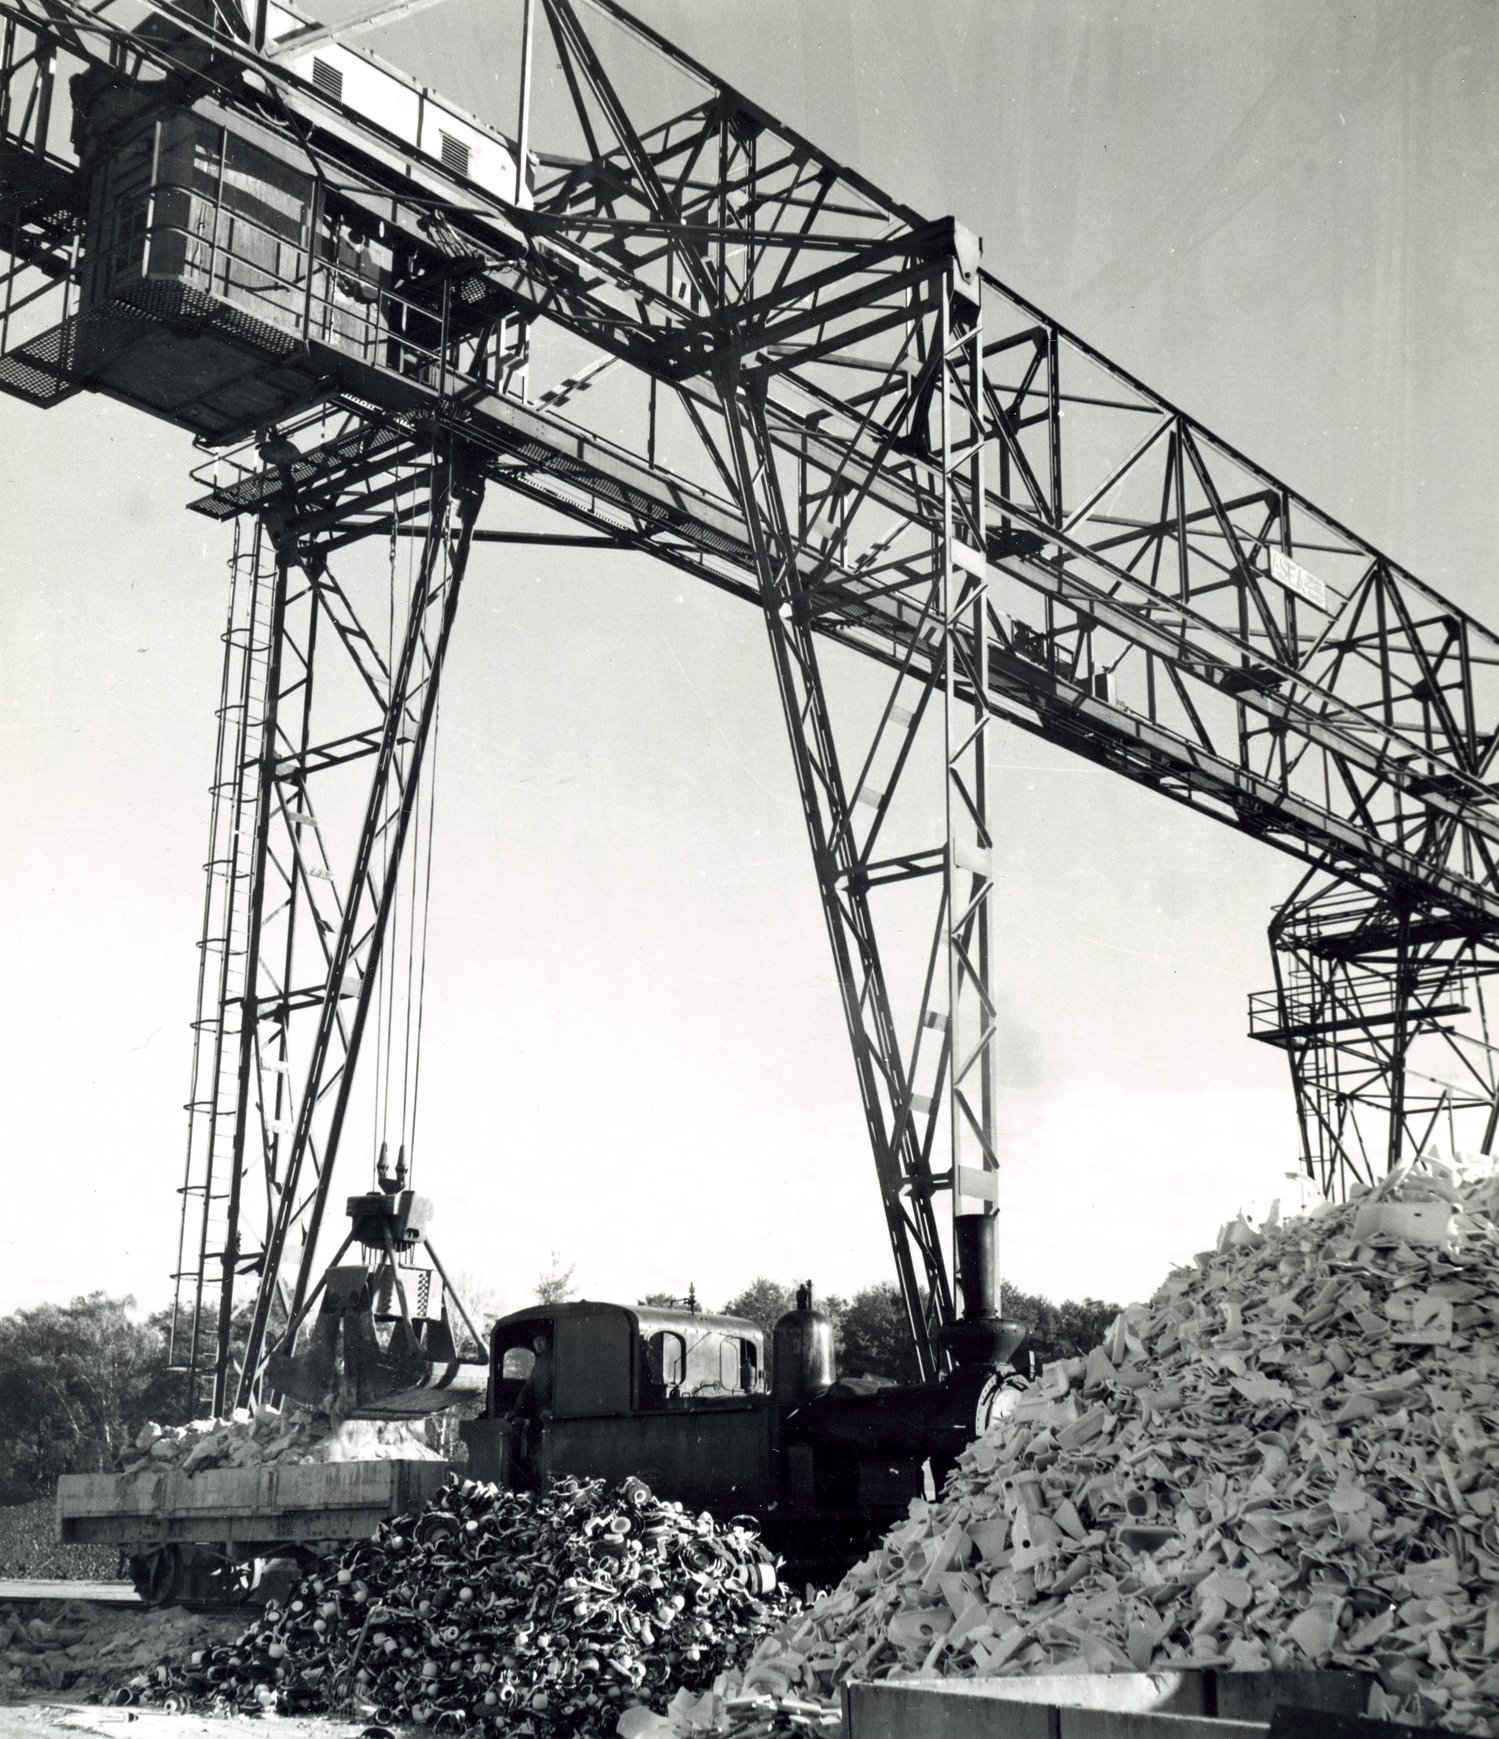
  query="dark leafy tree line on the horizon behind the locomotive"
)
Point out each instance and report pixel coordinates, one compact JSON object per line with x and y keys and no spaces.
{"x":79,"y":1382}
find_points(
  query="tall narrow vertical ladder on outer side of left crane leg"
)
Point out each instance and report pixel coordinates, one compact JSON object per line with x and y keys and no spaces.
{"x":206,"y":1243}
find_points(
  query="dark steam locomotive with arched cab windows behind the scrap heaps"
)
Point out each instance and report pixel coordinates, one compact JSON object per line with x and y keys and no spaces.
{"x":684,"y":1401}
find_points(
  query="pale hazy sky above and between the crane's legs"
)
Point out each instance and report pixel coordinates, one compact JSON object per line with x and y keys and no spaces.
{"x":1281,"y":215}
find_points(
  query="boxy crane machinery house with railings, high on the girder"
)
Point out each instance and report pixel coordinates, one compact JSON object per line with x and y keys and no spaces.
{"x":225,"y":283}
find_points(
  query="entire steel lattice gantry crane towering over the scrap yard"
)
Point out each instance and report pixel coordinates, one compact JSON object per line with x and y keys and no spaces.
{"x":663,"y":314}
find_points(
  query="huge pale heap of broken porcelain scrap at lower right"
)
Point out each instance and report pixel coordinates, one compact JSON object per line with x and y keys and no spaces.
{"x":1289,"y":1458}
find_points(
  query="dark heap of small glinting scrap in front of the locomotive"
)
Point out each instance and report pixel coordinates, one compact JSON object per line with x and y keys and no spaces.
{"x":503,"y":1613}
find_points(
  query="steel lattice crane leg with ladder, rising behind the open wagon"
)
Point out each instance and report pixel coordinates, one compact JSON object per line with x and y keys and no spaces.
{"x":331,"y":693}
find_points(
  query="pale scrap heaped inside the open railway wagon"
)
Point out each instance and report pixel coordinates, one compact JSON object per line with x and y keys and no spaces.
{"x":270,"y":1436}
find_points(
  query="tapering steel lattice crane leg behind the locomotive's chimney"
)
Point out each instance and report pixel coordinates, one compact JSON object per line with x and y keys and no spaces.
{"x":938,"y":1055}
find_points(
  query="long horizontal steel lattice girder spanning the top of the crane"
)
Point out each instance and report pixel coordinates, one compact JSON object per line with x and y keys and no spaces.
{"x":1150,"y":597}
